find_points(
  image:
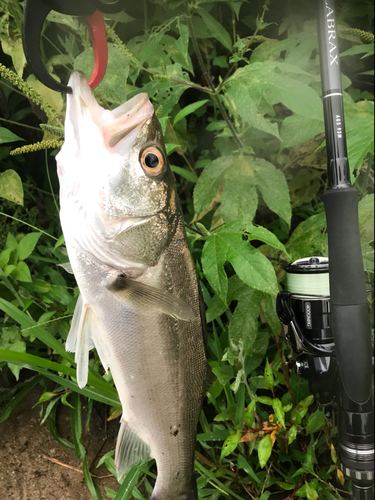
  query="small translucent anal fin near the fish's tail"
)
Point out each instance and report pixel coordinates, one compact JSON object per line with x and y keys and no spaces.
{"x":130,"y":449}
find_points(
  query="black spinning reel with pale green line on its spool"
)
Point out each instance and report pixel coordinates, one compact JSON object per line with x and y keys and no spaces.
{"x":304,"y":309}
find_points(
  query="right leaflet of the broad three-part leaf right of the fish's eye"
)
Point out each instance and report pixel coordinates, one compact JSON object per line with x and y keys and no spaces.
{"x":272,"y":184}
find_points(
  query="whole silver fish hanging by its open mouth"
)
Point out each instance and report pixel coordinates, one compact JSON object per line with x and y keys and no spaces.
{"x":139,"y":302}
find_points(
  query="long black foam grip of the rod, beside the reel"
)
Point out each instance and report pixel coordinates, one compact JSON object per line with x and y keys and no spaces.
{"x":349,"y":310}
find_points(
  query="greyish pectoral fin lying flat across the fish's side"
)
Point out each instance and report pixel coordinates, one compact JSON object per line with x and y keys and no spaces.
{"x":148,"y":298}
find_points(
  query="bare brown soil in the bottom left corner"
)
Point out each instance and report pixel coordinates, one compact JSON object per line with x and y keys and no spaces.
{"x":25,"y":473}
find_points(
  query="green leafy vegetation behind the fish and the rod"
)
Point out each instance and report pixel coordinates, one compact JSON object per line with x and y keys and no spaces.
{"x":236,"y":86}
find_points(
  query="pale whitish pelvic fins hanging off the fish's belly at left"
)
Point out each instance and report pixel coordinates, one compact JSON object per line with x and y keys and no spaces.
{"x":86,"y":333}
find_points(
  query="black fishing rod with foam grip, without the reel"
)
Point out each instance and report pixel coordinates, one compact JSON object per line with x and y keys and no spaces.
{"x":349,"y":310}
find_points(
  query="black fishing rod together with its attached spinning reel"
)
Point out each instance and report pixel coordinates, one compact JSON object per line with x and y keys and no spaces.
{"x":325,"y":308}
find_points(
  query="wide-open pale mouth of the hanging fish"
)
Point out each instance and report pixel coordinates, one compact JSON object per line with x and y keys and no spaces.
{"x":119,"y":127}
